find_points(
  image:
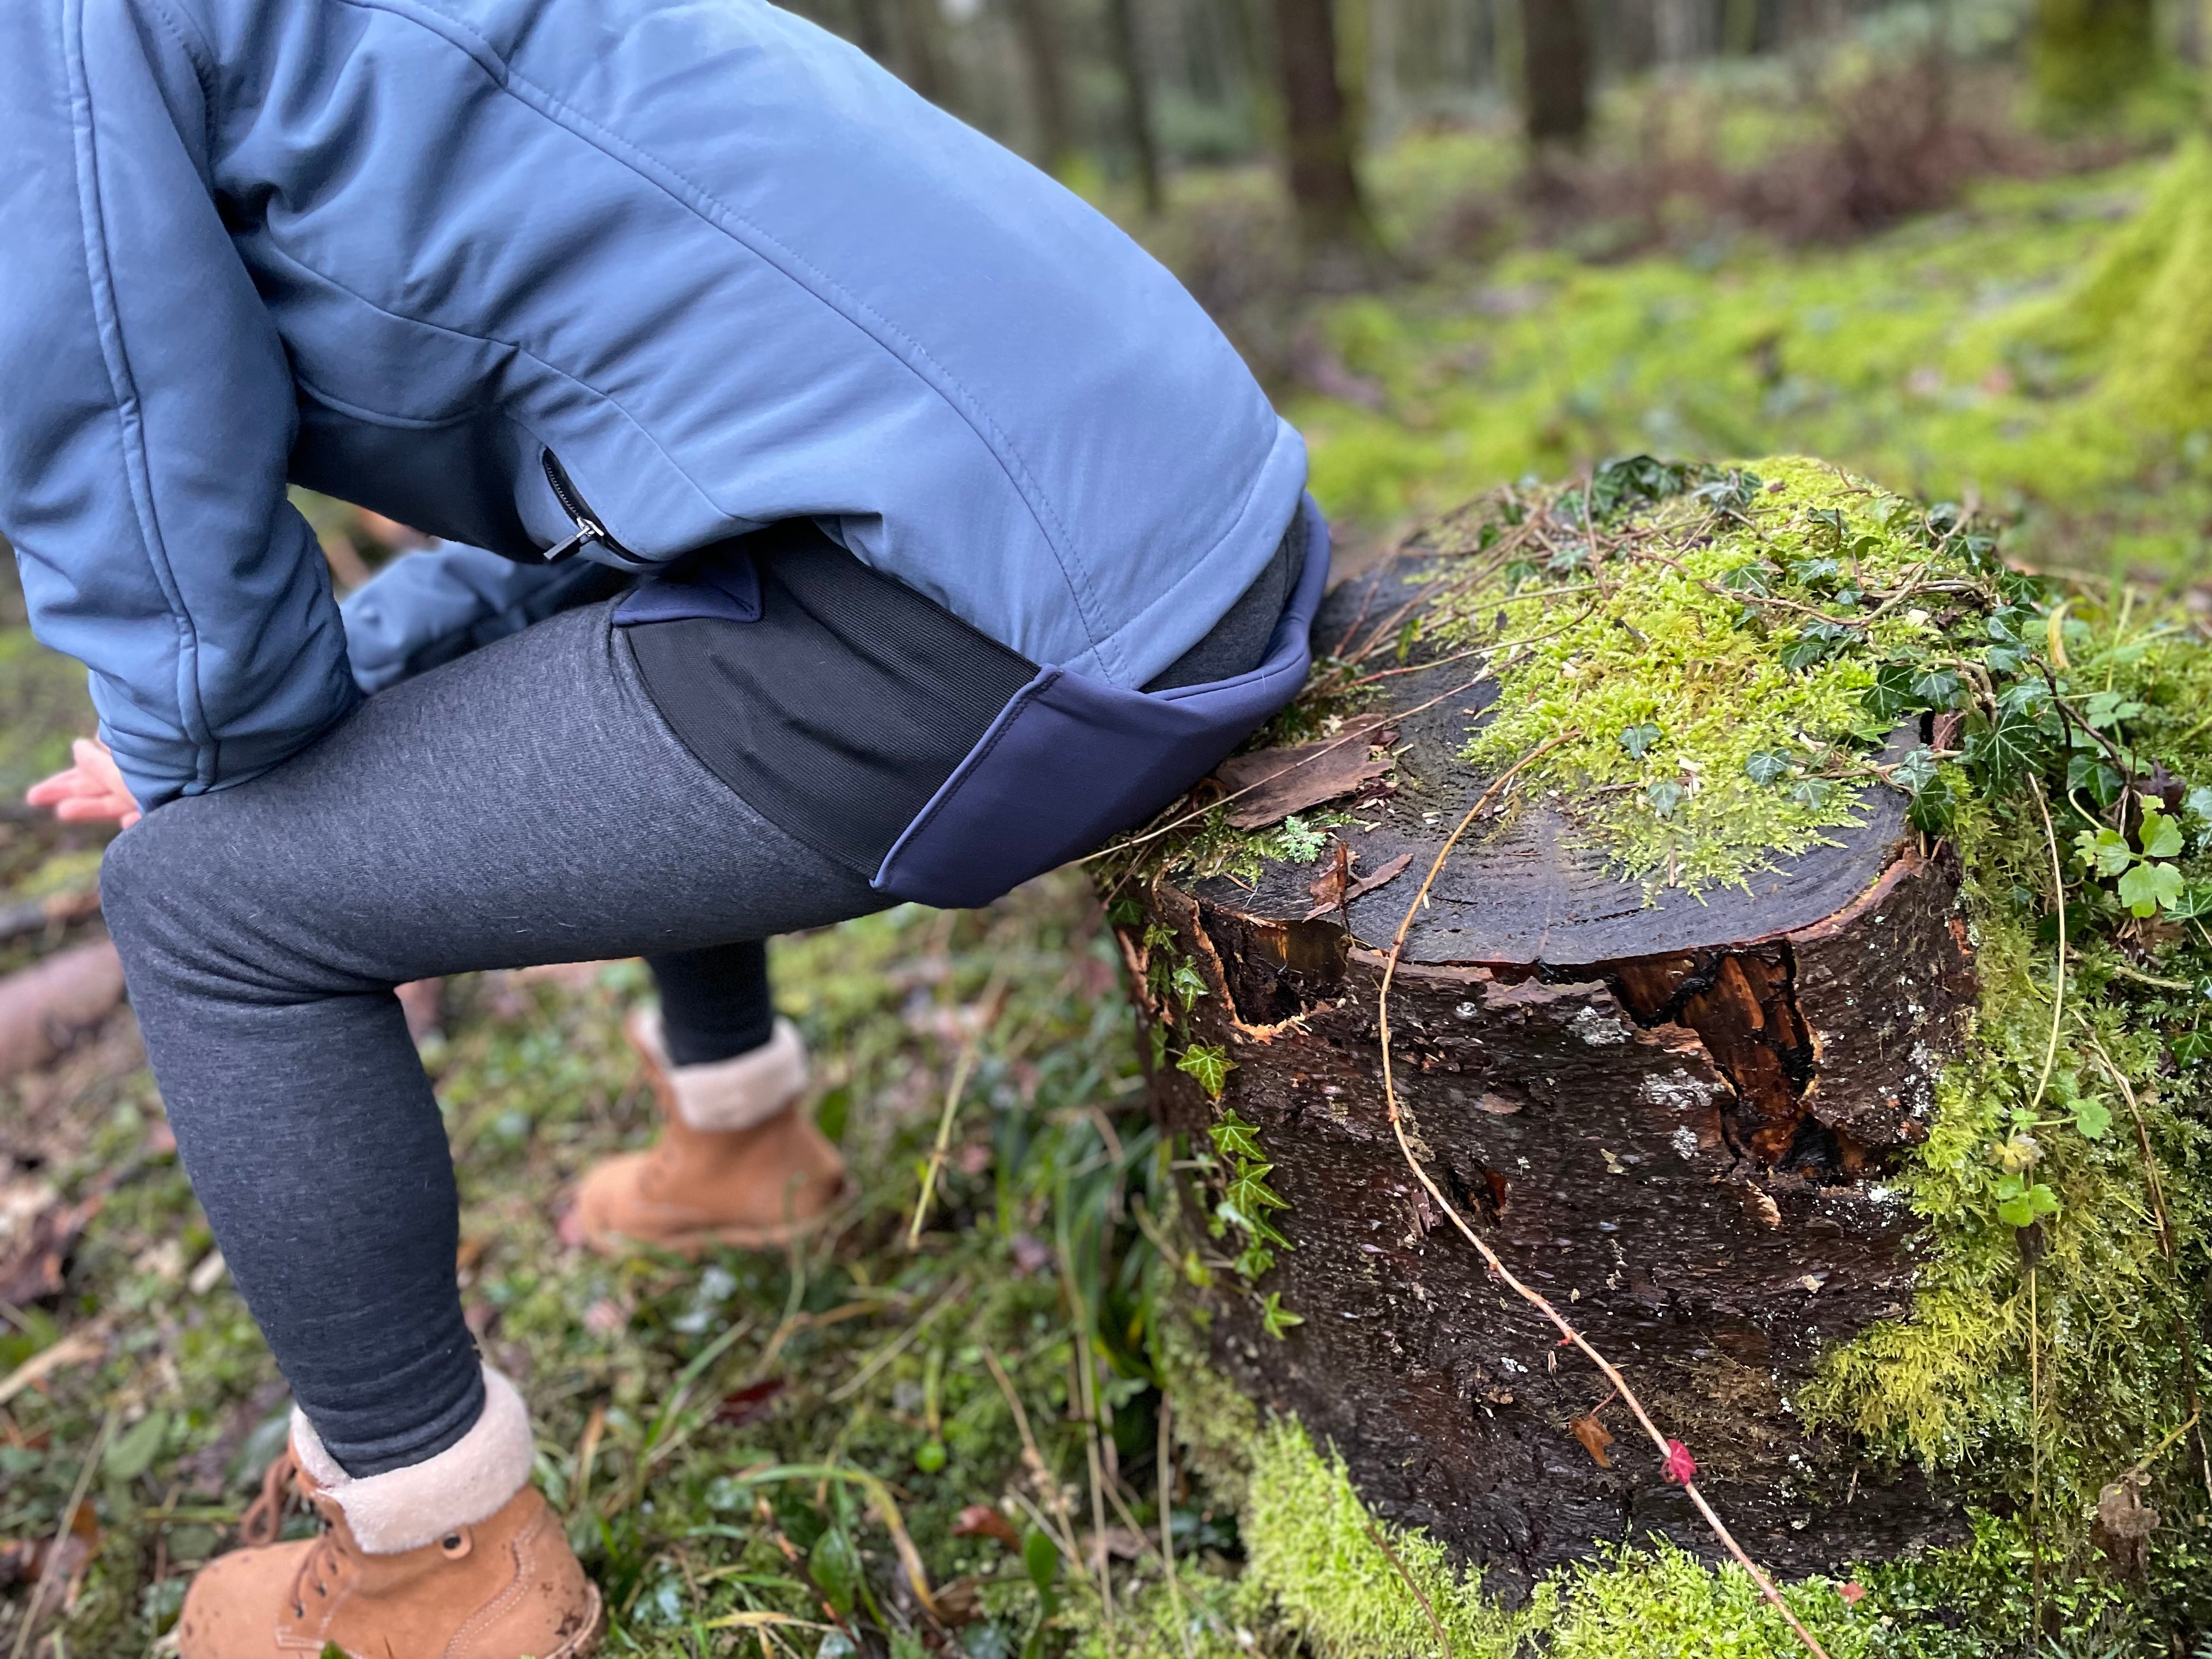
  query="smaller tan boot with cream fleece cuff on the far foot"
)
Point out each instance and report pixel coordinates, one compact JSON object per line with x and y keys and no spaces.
{"x":740,"y":1160}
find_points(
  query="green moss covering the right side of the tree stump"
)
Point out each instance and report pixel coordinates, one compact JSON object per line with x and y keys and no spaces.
{"x":2105,"y":1311}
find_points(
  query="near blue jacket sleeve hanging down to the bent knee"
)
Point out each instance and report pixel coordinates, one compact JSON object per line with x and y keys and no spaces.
{"x":149,"y":410}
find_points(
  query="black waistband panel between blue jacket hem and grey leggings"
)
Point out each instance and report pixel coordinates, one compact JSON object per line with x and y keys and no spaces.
{"x":853,"y":700}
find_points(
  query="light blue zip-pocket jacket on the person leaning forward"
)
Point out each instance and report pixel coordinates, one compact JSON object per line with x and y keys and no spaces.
{"x":711,"y":262}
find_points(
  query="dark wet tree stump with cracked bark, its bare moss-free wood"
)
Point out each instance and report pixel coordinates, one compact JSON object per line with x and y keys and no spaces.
{"x":1673,"y":1118}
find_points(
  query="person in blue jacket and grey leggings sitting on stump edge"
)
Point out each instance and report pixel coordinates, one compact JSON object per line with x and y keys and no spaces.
{"x":839,"y":514}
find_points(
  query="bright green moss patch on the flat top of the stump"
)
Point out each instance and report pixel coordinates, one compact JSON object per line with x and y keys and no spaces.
{"x":1702,"y":749}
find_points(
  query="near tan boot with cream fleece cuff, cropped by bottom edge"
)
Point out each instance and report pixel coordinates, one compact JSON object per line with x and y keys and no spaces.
{"x":452,"y":1558}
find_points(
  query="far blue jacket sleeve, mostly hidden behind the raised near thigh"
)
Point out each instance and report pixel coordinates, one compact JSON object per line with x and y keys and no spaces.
{"x":430,"y":607}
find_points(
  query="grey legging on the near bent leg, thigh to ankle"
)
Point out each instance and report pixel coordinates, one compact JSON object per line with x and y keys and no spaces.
{"x":519,"y":806}
